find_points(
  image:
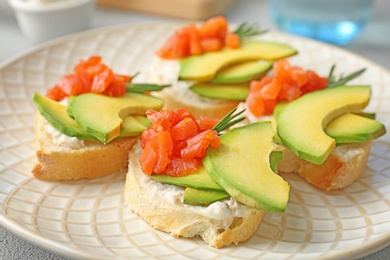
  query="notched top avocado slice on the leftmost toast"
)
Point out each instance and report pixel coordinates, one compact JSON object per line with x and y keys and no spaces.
{"x":102,"y":115}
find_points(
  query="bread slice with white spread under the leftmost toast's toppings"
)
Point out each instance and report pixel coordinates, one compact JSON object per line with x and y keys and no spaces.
{"x":76,"y":159}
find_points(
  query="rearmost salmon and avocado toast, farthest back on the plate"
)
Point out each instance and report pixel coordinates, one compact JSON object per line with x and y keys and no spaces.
{"x":209,"y":67}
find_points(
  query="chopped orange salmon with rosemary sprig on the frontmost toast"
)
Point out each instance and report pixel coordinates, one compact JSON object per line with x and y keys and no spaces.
{"x":176,"y":142}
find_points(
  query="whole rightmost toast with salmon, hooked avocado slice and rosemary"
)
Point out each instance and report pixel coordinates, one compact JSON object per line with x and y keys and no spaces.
{"x":321,"y":127}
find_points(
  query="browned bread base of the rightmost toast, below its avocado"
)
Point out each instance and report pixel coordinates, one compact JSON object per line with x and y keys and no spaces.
{"x":343,"y":167}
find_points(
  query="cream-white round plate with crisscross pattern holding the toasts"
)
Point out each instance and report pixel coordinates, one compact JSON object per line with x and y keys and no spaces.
{"x":89,"y":219}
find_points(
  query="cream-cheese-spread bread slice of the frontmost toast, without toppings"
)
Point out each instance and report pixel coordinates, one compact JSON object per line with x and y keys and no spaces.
{"x":220,"y":224}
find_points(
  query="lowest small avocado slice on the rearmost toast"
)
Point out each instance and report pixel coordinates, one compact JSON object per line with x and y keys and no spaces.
{"x":218,"y":91}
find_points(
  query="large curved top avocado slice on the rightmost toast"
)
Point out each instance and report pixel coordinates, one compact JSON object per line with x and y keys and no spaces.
{"x":301,"y":124}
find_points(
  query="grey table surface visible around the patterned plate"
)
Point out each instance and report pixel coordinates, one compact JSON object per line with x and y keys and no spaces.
{"x":373,"y":44}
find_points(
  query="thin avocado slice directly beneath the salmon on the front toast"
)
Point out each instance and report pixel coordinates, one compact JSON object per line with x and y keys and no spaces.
{"x":198,"y":180}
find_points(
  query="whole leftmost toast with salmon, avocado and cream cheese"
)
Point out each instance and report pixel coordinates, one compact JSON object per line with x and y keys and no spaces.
{"x":87,"y":123}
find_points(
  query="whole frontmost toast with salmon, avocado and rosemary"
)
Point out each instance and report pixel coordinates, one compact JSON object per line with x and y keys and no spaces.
{"x":169,"y":182}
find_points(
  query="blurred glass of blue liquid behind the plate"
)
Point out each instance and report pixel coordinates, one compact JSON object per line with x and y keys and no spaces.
{"x":333,"y":21}
